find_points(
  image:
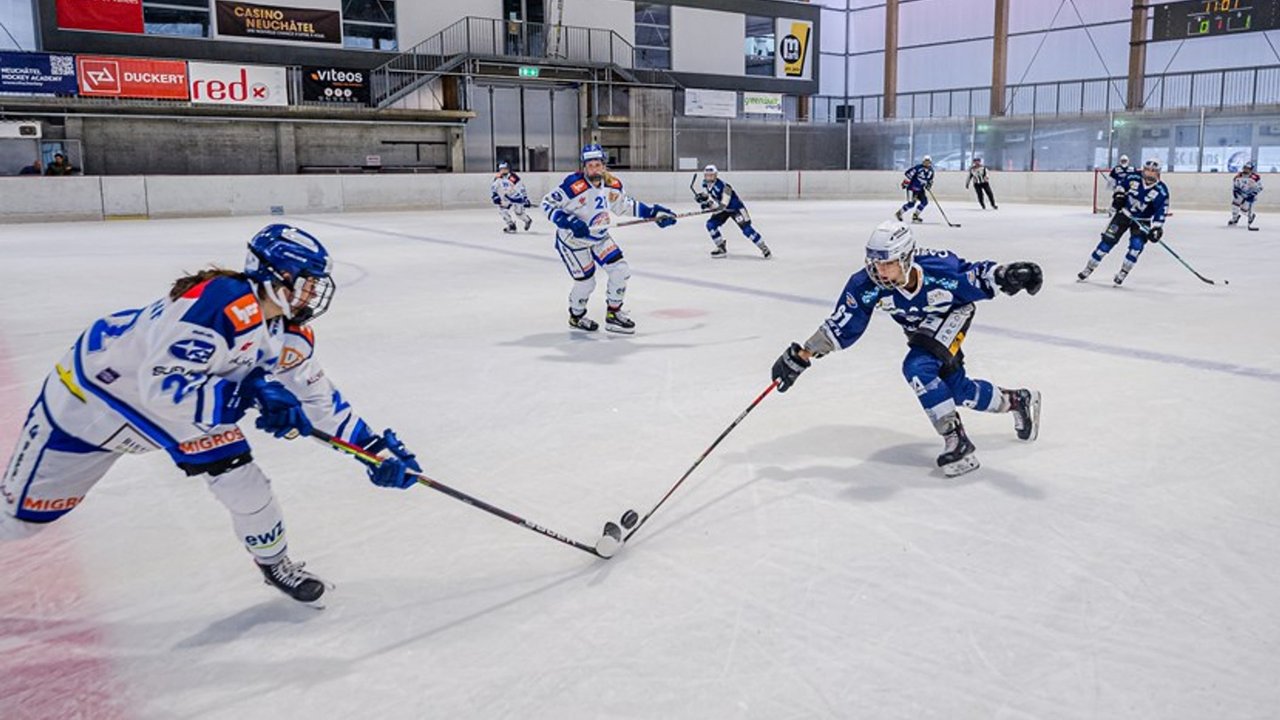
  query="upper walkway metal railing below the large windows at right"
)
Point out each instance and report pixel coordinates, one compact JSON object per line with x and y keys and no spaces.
{"x":1215,"y":90}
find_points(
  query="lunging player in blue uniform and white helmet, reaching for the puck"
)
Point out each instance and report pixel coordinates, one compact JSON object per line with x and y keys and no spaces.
{"x":932,"y":295}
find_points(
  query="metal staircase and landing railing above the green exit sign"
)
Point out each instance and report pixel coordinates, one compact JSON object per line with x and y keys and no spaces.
{"x":490,"y":39}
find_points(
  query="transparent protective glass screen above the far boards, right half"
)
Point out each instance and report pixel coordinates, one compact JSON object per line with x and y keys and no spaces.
{"x":1194,"y":140}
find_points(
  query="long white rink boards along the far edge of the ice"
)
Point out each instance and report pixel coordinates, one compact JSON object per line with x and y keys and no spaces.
{"x":36,"y":199}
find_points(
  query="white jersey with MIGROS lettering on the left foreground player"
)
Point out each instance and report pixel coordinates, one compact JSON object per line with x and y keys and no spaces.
{"x":162,"y":377}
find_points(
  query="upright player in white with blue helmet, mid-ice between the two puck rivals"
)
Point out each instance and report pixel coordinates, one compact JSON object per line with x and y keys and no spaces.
{"x":580,"y":208}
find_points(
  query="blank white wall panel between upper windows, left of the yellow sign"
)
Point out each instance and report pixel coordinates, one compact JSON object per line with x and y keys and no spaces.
{"x":708,"y":42}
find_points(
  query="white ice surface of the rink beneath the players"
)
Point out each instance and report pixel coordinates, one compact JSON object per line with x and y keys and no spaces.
{"x":817,"y":564}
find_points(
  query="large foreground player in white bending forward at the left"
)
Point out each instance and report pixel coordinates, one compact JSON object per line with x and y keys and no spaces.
{"x":179,"y":376}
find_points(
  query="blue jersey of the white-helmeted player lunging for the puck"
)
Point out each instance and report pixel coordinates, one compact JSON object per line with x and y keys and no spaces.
{"x":948,"y":281}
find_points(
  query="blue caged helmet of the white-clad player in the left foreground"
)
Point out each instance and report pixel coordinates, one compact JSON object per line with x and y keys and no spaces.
{"x":292,"y":270}
